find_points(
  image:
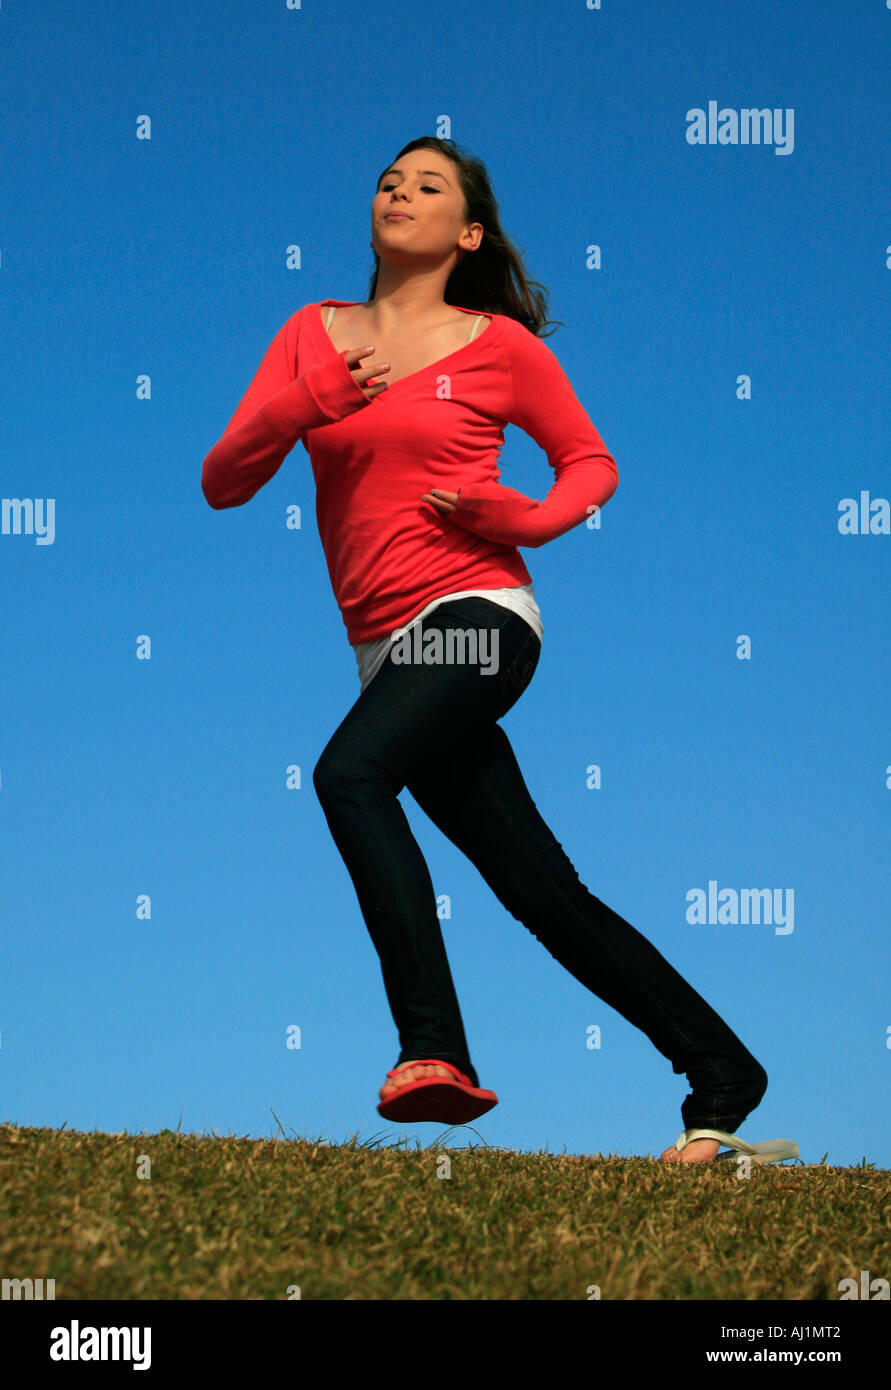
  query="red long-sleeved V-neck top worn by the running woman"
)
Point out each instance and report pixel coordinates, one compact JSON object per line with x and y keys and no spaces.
{"x":390,"y":553}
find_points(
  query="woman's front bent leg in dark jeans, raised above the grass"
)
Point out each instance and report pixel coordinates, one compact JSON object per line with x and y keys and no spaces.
{"x":407,"y":719}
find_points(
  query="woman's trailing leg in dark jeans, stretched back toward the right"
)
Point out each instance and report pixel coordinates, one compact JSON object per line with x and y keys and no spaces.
{"x":479,"y":799}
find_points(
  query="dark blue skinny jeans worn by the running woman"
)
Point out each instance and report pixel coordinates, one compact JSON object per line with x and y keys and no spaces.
{"x":434,"y":729}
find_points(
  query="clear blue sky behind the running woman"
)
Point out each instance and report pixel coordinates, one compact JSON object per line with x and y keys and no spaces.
{"x":166,"y":778}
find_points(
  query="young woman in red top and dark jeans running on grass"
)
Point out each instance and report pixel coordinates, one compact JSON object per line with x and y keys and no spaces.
{"x":422,"y":540}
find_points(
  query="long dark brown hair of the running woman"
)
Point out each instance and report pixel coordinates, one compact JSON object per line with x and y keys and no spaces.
{"x":490,"y":280}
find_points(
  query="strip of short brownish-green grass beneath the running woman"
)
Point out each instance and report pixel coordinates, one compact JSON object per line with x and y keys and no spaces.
{"x":241,"y":1218}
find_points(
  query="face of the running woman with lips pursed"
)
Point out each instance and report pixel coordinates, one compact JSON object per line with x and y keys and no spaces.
{"x":423,"y":187}
